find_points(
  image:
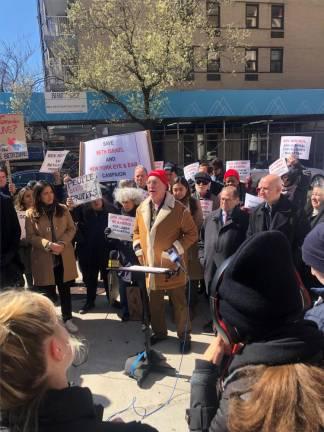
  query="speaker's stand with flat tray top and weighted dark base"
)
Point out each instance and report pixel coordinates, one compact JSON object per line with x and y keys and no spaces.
{"x":141,"y":364}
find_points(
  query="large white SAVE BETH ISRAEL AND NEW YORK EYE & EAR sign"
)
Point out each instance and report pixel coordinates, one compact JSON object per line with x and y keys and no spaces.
{"x":114,"y":158}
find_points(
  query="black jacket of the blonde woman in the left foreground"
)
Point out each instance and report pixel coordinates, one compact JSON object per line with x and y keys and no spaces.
{"x":72,"y":409}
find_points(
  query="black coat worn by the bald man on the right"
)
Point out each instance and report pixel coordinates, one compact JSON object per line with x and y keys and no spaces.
{"x":292,"y":222}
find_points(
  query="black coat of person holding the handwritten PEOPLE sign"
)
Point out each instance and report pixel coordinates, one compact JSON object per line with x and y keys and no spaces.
{"x":91,"y":247}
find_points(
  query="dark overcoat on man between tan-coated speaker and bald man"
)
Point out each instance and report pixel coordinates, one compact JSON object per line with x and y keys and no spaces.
{"x":218,"y":242}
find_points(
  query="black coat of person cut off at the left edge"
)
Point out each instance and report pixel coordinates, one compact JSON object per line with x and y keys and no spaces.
{"x":10,"y":265}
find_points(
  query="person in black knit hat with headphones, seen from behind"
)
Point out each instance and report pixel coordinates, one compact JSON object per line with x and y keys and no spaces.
{"x":264,"y":370}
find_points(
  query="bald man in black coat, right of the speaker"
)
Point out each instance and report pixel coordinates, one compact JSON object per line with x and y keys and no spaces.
{"x":278,"y":213}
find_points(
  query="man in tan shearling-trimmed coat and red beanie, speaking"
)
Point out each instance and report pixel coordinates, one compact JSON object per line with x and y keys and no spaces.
{"x":163,"y":223}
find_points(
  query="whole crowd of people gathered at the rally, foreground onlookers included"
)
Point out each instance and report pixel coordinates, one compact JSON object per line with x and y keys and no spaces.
{"x":260,"y":269}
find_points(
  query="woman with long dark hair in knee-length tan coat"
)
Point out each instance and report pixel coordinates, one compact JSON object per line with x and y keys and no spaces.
{"x":50,"y":230}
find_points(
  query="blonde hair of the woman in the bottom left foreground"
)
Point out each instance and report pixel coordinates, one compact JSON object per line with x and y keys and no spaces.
{"x":26,"y":320}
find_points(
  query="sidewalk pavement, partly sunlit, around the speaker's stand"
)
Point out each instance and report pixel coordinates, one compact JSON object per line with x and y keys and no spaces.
{"x":112,"y":341}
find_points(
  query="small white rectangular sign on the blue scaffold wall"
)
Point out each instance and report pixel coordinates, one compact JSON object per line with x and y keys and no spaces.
{"x":66,"y":102}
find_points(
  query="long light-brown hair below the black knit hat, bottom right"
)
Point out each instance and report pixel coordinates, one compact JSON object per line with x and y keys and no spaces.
{"x":287,"y":398}
